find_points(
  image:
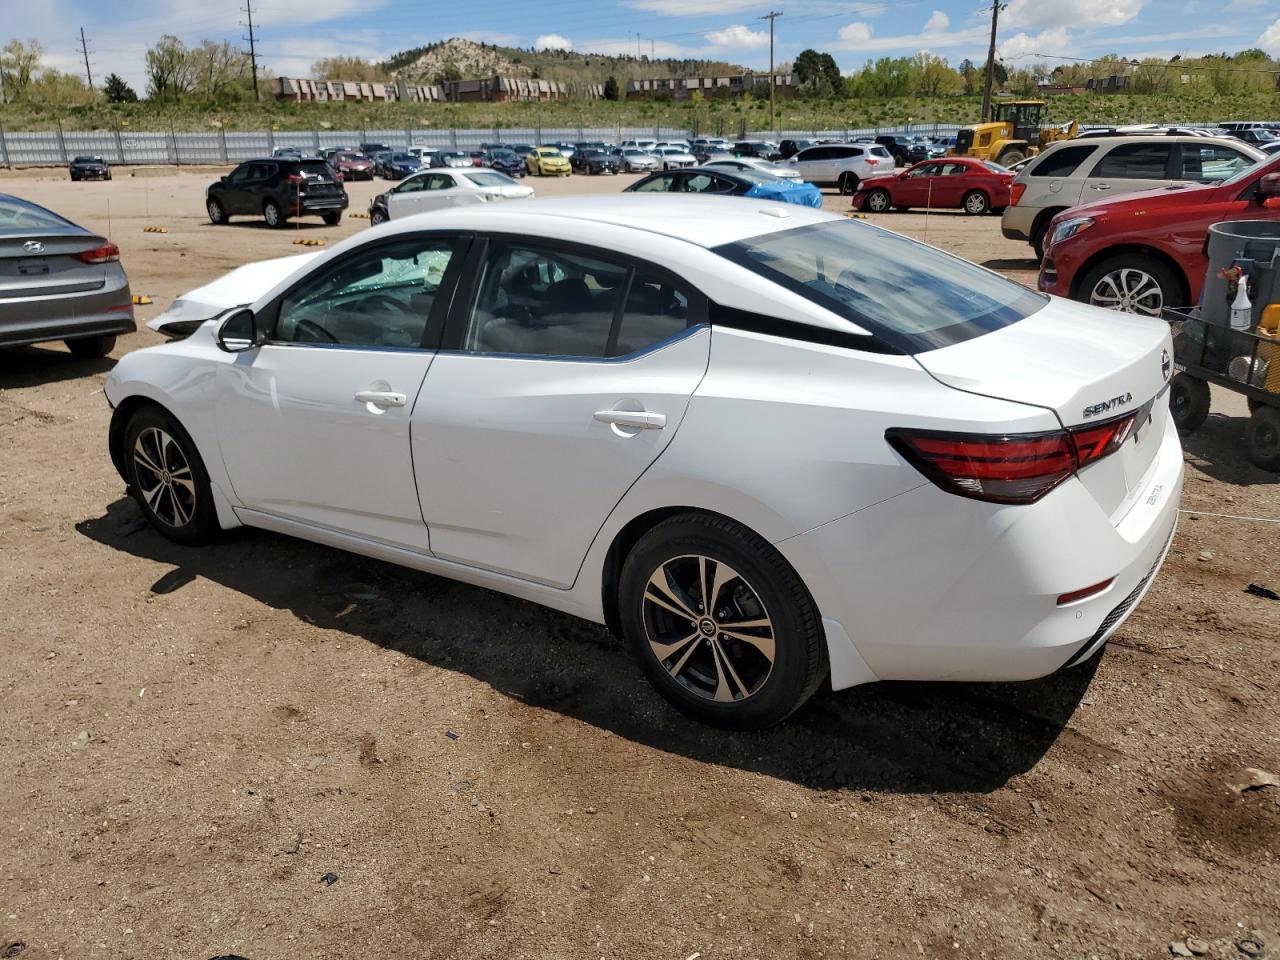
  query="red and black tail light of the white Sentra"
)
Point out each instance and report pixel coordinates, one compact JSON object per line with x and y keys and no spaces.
{"x":1008,"y":468}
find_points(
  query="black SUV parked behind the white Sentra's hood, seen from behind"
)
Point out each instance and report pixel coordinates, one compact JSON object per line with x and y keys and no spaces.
{"x":277,"y":189}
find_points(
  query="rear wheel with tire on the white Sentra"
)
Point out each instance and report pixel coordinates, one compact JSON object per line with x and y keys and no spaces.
{"x":721,"y":623}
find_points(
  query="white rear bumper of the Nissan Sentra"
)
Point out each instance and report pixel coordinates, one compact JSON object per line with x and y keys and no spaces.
{"x":934,"y":587}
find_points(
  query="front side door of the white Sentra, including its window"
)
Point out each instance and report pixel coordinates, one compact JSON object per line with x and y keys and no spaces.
{"x":314,"y":426}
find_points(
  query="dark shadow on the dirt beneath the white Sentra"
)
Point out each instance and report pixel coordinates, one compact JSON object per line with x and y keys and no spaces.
{"x":892,"y":738}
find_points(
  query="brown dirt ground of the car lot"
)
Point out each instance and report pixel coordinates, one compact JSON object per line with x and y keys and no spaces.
{"x":193,"y":739}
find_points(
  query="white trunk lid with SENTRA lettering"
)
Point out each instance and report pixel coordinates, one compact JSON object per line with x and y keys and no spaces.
{"x":1089,"y":367}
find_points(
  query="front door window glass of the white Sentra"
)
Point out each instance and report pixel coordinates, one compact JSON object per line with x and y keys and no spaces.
{"x":380,"y":298}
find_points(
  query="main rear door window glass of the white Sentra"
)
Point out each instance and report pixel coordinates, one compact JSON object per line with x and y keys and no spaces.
{"x":537,"y":301}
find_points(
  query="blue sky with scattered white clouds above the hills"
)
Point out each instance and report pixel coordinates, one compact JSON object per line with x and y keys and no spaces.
{"x":296,"y":33}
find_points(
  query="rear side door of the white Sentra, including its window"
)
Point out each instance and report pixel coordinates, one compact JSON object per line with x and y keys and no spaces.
{"x":564,"y":376}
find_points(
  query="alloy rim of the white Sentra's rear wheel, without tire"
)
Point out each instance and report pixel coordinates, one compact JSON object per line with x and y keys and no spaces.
{"x":708,"y":629}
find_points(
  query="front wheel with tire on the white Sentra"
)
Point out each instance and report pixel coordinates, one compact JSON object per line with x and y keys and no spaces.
{"x":168,"y":478}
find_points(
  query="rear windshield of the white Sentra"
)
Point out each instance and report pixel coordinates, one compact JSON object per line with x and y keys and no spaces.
{"x":911,"y":296}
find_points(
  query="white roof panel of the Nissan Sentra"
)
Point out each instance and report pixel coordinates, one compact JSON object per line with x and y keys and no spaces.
{"x":705,"y":222}
